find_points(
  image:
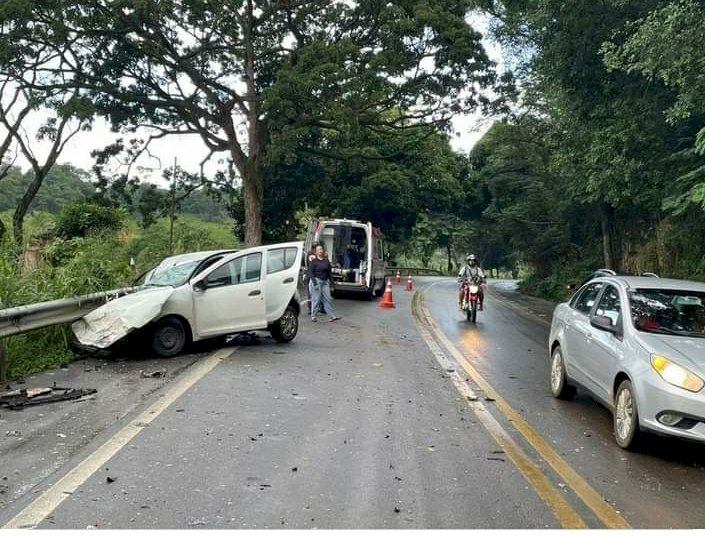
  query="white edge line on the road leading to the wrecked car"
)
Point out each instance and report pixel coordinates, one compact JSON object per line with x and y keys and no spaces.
{"x":50,"y":499}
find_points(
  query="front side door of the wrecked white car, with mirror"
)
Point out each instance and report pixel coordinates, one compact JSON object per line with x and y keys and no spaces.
{"x":231,"y":297}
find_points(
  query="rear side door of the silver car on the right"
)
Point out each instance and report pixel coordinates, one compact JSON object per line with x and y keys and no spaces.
{"x":577,"y":331}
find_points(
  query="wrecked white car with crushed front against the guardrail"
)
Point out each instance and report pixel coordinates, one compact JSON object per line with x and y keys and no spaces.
{"x":198,"y":296}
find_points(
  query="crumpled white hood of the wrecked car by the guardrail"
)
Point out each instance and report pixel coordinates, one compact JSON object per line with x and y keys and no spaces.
{"x":111,"y":322}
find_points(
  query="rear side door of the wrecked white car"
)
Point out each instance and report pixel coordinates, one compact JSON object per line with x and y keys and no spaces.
{"x":283,"y":267}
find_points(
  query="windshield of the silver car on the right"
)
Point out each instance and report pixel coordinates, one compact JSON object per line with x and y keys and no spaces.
{"x":669,"y":312}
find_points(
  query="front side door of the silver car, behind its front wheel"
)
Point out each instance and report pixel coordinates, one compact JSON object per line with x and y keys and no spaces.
{"x":605,"y":349}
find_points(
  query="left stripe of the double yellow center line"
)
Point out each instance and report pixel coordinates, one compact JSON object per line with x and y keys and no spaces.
{"x":554,"y":498}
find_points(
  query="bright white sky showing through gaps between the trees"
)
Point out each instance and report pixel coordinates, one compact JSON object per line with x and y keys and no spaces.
{"x":189,"y":151}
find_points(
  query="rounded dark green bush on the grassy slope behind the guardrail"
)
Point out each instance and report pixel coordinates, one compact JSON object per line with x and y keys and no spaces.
{"x":81,"y":218}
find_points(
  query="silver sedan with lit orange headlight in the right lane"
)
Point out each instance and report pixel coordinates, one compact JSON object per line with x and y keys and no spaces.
{"x":638,"y":345}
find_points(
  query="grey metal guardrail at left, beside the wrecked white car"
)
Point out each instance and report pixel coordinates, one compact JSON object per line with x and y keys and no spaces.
{"x":26,"y":318}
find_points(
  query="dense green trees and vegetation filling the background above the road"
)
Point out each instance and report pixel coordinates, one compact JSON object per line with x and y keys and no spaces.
{"x":595,"y":157}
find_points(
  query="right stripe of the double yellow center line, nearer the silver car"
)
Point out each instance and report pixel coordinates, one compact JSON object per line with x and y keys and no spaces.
{"x":607,"y":515}
